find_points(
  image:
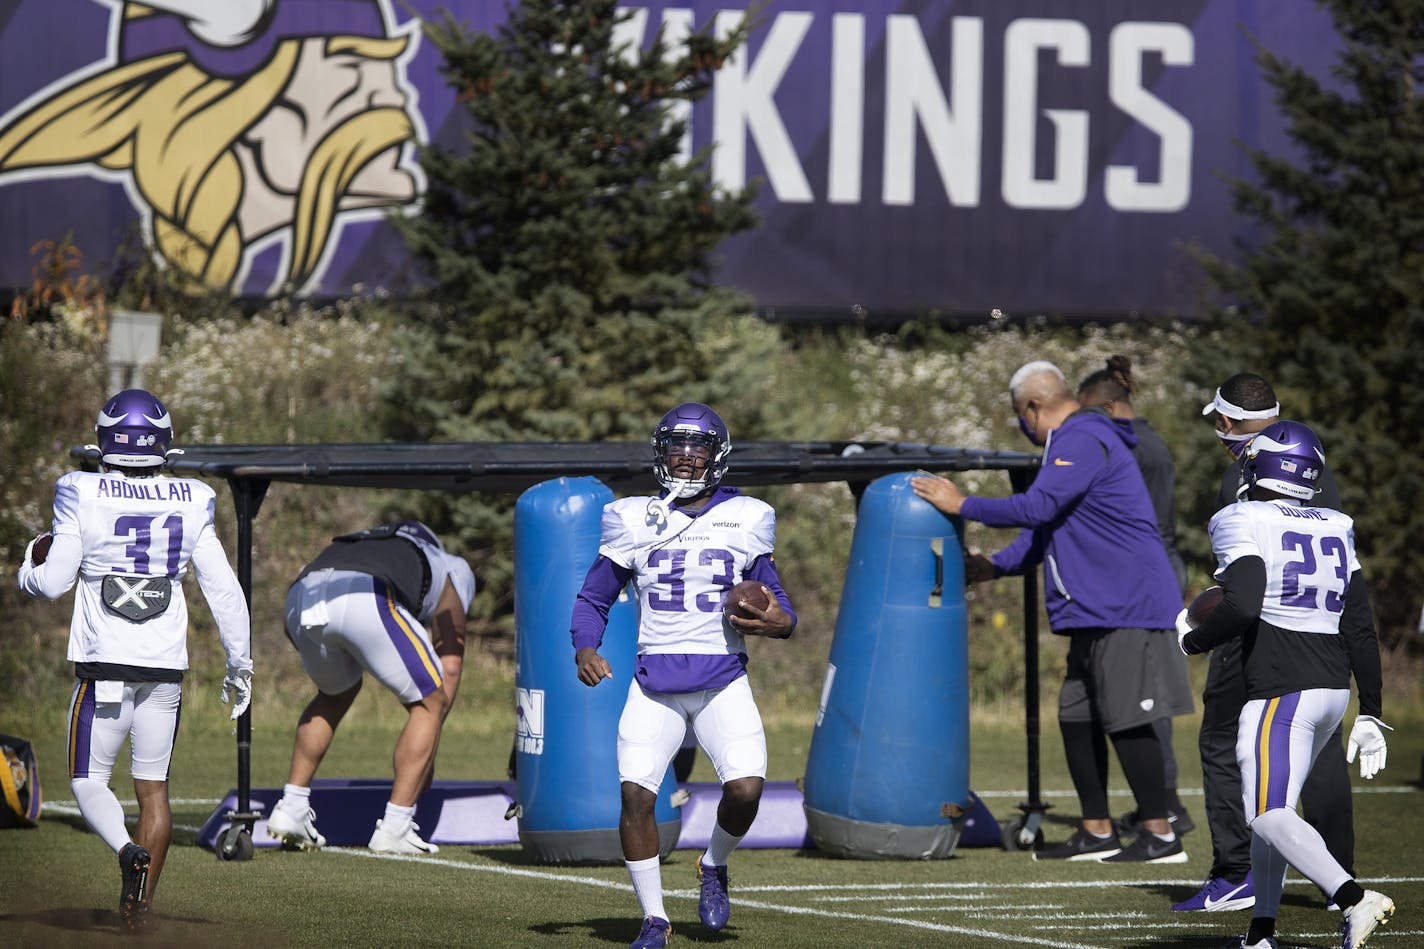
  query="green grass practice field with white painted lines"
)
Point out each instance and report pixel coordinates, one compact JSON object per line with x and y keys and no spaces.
{"x":62,"y":883}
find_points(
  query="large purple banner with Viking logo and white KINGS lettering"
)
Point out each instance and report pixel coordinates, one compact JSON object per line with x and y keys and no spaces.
{"x":1033,"y":156}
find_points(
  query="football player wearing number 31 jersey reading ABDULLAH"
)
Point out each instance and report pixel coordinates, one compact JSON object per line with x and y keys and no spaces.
{"x":126,"y":536}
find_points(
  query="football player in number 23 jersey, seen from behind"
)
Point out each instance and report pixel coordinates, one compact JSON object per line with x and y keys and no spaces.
{"x":1295,"y":595}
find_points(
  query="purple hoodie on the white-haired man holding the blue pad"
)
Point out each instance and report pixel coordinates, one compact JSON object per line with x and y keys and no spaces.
{"x":1089,"y":519}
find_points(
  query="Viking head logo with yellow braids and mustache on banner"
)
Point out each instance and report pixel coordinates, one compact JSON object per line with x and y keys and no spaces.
{"x":236,"y":128}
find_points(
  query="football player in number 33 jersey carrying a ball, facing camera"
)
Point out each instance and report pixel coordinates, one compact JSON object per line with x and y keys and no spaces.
{"x":683,"y":551}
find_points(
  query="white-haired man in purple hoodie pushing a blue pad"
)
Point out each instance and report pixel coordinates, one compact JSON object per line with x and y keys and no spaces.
{"x":1109,"y":588}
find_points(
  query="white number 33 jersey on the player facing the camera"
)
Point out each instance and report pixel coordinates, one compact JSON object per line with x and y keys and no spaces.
{"x":684,"y":566}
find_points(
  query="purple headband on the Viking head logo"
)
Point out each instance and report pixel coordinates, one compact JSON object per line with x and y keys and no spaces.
{"x":145,"y":38}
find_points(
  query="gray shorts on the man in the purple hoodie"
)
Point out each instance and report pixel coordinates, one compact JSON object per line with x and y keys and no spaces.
{"x":1123,"y":679}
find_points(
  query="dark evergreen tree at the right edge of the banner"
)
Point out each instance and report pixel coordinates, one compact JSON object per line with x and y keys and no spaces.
{"x":1331,"y":303}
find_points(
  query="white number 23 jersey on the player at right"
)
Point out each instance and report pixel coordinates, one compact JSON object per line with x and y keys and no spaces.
{"x":1309,"y":556}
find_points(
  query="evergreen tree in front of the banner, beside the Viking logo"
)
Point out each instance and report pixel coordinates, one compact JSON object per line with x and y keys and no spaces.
{"x":569,"y":247}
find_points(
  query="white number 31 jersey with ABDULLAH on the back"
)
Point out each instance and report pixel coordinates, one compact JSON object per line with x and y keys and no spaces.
{"x":137,"y":528}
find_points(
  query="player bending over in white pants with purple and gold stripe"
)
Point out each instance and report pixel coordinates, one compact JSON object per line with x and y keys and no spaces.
{"x":364,"y":606}
